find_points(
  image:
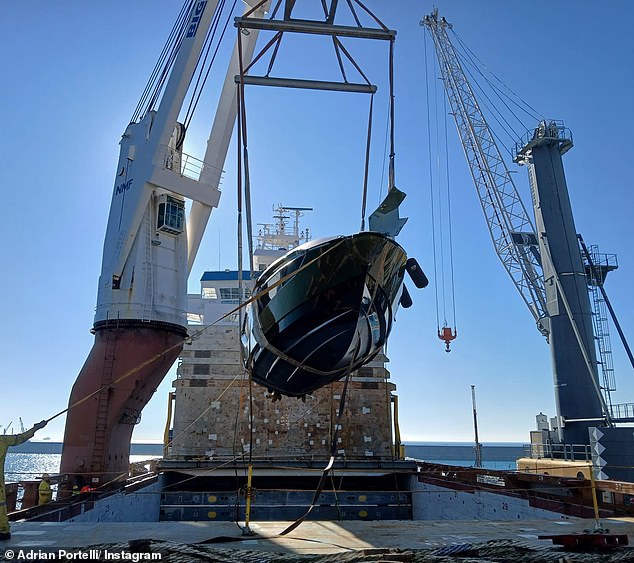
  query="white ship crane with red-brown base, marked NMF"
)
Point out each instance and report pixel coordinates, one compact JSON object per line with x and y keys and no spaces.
{"x":150,"y":246}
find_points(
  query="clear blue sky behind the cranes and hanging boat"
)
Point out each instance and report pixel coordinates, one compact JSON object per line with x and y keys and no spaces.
{"x":72,"y":73}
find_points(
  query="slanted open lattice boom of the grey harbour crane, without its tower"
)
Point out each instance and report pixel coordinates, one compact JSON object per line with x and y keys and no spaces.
{"x":509,"y":224}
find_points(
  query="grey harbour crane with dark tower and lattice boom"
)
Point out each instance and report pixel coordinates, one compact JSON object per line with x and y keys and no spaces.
{"x":546,"y":269}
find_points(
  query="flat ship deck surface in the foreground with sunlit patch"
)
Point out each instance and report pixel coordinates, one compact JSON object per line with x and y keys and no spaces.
{"x":187,"y":539}
